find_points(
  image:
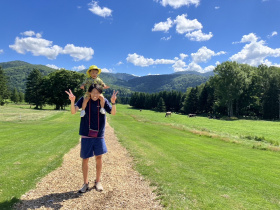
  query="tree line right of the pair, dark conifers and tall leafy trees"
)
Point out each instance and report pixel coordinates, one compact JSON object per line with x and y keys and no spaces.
{"x":234,"y":90}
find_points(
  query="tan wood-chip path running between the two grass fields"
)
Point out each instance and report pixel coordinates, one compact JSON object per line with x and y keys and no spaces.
{"x":124,"y":188}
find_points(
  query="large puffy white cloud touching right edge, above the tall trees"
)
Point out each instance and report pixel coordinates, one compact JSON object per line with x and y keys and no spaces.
{"x":255,"y":52}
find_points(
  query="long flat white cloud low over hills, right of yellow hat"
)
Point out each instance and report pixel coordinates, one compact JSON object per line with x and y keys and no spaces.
{"x":139,"y":60}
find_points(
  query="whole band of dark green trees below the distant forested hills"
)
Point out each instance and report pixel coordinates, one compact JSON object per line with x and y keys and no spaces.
{"x":235,"y":90}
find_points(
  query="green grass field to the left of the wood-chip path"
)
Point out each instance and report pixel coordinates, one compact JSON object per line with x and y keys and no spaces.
{"x":32,"y":143}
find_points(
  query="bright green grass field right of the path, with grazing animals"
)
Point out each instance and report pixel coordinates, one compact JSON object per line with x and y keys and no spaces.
{"x":198,"y":163}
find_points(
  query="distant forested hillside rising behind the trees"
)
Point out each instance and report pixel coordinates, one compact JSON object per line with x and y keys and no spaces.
{"x":18,"y":71}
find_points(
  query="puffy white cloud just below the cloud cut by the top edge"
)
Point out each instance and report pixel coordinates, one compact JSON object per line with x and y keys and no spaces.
{"x":191,"y":28}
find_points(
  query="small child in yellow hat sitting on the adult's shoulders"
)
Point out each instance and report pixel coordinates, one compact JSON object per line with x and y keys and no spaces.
{"x":92,"y":73}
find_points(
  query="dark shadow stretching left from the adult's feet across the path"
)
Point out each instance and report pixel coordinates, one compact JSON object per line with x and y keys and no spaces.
{"x":47,"y":201}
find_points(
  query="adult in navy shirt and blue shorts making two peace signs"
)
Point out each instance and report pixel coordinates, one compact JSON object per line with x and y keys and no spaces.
{"x":92,"y":129}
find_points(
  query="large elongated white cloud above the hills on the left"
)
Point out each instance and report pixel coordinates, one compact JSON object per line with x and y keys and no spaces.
{"x":42,"y":47}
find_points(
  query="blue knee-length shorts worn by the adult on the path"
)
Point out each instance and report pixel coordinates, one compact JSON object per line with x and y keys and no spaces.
{"x":92,"y":146}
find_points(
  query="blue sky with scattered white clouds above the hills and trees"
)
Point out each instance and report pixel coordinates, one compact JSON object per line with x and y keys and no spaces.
{"x":140,"y":37}
